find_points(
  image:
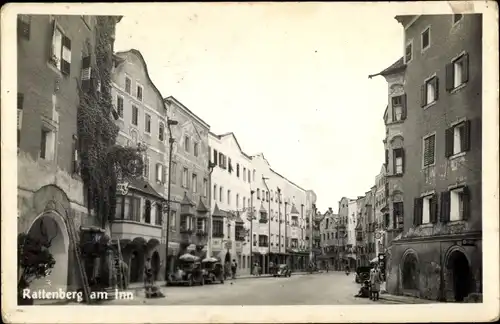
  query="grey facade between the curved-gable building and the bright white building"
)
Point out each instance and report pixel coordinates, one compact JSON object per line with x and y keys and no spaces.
{"x":189,"y":182}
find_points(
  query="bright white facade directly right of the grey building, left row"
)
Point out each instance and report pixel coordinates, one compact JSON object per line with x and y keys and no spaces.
{"x":231,"y":200}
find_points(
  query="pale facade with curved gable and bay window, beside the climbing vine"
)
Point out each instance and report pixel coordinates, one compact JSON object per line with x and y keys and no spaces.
{"x":142,"y":117}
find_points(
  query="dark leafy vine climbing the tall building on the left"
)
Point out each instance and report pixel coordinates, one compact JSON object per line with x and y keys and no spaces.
{"x":103,"y":163}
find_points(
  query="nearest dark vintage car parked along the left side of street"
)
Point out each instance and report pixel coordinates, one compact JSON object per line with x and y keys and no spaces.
{"x":189,"y":272}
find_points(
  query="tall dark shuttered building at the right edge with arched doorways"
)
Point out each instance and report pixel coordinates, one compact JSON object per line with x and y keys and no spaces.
{"x":439,"y":253}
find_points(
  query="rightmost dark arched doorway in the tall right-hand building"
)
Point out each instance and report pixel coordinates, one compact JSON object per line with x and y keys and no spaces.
{"x":459,"y":275}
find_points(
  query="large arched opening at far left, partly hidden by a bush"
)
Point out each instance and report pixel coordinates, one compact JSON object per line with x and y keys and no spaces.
{"x":50,"y":227}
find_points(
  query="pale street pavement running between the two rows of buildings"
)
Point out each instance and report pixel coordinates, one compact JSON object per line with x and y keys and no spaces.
{"x":332,"y":288}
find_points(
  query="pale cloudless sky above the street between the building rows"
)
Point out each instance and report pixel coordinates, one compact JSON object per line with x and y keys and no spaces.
{"x":291,"y":81}
